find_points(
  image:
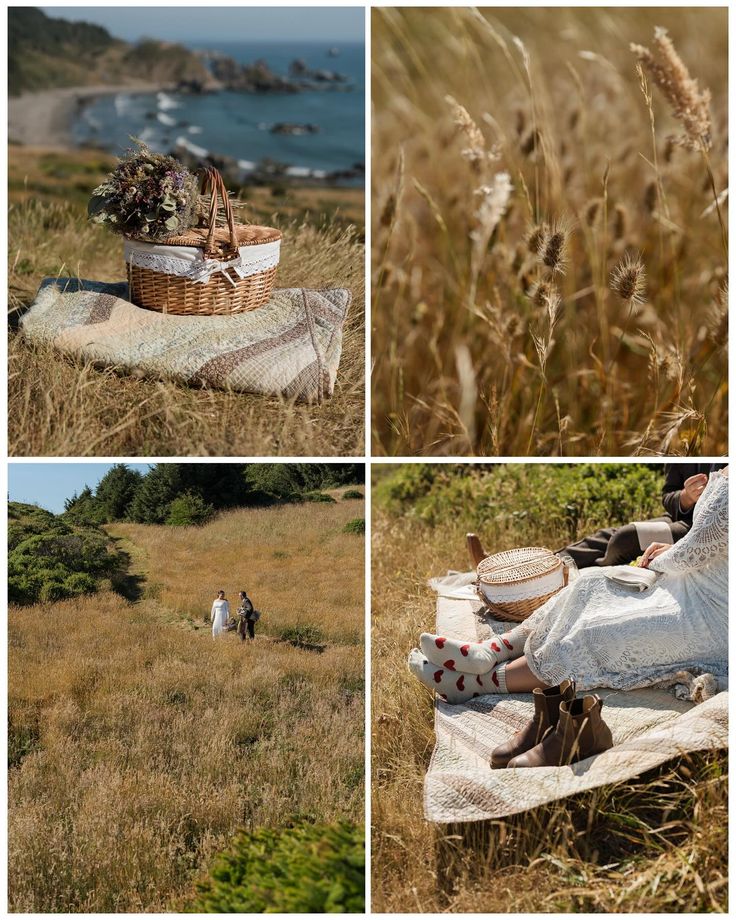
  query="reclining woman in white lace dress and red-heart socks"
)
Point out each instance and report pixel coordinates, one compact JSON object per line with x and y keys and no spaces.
{"x":599,"y":633}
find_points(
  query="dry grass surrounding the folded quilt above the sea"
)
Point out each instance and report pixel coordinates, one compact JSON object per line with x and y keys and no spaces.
{"x":60,"y":407}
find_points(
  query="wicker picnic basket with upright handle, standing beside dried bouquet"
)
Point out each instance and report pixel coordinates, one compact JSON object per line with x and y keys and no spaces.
{"x":207,"y":271}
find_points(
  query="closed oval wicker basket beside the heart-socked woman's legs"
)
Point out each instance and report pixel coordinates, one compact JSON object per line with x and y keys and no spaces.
{"x":513,"y":584}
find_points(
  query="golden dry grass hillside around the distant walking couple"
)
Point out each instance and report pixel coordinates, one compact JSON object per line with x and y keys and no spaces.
{"x":139,"y":745}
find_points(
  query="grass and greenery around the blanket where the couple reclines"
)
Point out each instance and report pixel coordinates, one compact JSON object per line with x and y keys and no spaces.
{"x":654,"y":844}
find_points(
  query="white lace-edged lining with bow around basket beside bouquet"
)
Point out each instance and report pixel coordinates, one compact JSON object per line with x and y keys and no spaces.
{"x":189,"y":261}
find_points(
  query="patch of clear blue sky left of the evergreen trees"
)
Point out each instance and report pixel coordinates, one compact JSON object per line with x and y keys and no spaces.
{"x":48,"y":484}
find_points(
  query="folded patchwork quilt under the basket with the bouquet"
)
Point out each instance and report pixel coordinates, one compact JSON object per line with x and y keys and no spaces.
{"x":290,"y":347}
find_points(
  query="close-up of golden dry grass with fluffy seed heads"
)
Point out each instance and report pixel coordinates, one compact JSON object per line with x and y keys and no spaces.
{"x":549,"y":242}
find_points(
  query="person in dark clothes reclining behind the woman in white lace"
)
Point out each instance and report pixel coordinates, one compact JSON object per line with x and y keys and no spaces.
{"x":683,"y":486}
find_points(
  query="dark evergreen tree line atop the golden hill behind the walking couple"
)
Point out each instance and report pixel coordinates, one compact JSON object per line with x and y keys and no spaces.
{"x":190,"y":493}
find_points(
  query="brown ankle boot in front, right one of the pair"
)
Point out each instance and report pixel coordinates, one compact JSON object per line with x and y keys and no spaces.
{"x":580,"y":732}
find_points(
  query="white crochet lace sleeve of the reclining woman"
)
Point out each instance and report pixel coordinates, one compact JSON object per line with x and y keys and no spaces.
{"x":708,"y":537}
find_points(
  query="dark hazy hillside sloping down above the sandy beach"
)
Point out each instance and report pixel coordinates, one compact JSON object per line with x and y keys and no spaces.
{"x":47,"y":52}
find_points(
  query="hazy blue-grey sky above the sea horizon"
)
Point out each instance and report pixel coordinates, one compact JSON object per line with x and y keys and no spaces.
{"x":235,"y":23}
